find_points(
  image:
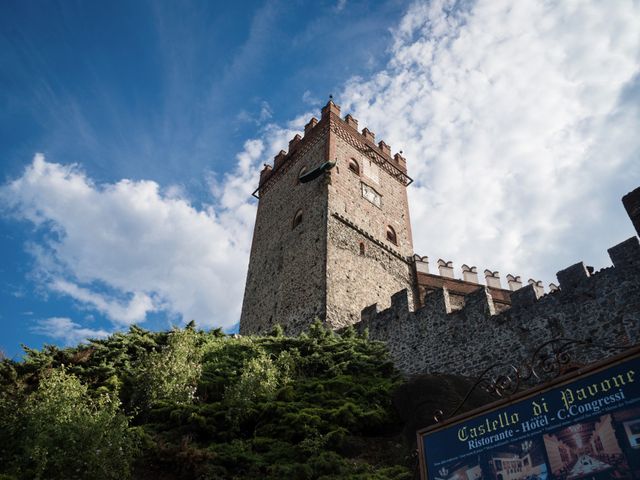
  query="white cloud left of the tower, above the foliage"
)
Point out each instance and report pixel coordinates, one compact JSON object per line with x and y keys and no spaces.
{"x":124,"y":249}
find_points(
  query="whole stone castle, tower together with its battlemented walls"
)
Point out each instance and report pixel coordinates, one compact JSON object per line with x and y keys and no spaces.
{"x":332,"y":240}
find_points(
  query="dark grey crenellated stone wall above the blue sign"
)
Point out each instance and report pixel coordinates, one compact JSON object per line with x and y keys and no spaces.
{"x":603,"y":307}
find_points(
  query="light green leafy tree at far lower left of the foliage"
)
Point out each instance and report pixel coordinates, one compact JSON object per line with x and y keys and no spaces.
{"x":67,"y":434}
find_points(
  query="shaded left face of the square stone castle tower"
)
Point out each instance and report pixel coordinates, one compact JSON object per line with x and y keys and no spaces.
{"x":286,"y":281}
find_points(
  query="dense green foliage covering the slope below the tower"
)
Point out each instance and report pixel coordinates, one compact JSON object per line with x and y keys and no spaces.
{"x":192,"y":404}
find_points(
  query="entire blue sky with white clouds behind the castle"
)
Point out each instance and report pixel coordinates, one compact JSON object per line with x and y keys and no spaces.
{"x":131,"y":134}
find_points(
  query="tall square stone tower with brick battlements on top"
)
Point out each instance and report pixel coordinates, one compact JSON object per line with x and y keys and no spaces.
{"x":332,"y":232}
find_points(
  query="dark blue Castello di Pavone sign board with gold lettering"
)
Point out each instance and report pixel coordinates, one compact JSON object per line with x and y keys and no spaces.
{"x":583,"y":426}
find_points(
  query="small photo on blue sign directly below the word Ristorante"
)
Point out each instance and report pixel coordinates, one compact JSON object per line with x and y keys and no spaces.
{"x":519,"y":461}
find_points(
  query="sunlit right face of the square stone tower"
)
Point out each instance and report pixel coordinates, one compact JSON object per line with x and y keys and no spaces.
{"x":363,"y":266}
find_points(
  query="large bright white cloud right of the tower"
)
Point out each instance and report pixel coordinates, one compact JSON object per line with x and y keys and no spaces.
{"x":515,"y":123}
